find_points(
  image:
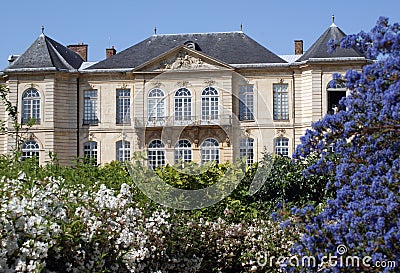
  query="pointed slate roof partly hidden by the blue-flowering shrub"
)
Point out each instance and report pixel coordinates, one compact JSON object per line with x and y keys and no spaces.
{"x":320,"y":48}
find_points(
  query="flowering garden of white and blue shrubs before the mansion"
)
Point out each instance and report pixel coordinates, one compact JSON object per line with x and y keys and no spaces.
{"x":334,"y":207}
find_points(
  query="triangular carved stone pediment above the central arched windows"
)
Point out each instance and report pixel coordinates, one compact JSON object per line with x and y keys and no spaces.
{"x":182,"y":58}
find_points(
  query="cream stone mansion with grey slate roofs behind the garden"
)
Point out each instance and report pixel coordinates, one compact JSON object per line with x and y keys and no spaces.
{"x":179,"y":97}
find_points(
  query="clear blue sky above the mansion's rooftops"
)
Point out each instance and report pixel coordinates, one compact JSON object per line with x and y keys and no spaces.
{"x":100,"y":24}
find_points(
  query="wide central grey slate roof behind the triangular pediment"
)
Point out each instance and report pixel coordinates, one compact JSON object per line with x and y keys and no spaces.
{"x":227,"y":47}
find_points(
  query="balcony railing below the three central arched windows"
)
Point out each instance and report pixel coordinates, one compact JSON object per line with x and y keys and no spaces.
{"x":183,"y":121}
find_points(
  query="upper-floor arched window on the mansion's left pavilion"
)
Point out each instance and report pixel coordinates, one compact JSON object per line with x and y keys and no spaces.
{"x":31,"y":106}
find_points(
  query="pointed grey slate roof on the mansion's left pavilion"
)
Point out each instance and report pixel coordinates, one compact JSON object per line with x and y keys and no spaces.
{"x":46,"y":54}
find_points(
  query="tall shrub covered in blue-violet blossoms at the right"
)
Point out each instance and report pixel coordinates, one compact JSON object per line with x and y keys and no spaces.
{"x":364,"y":215}
